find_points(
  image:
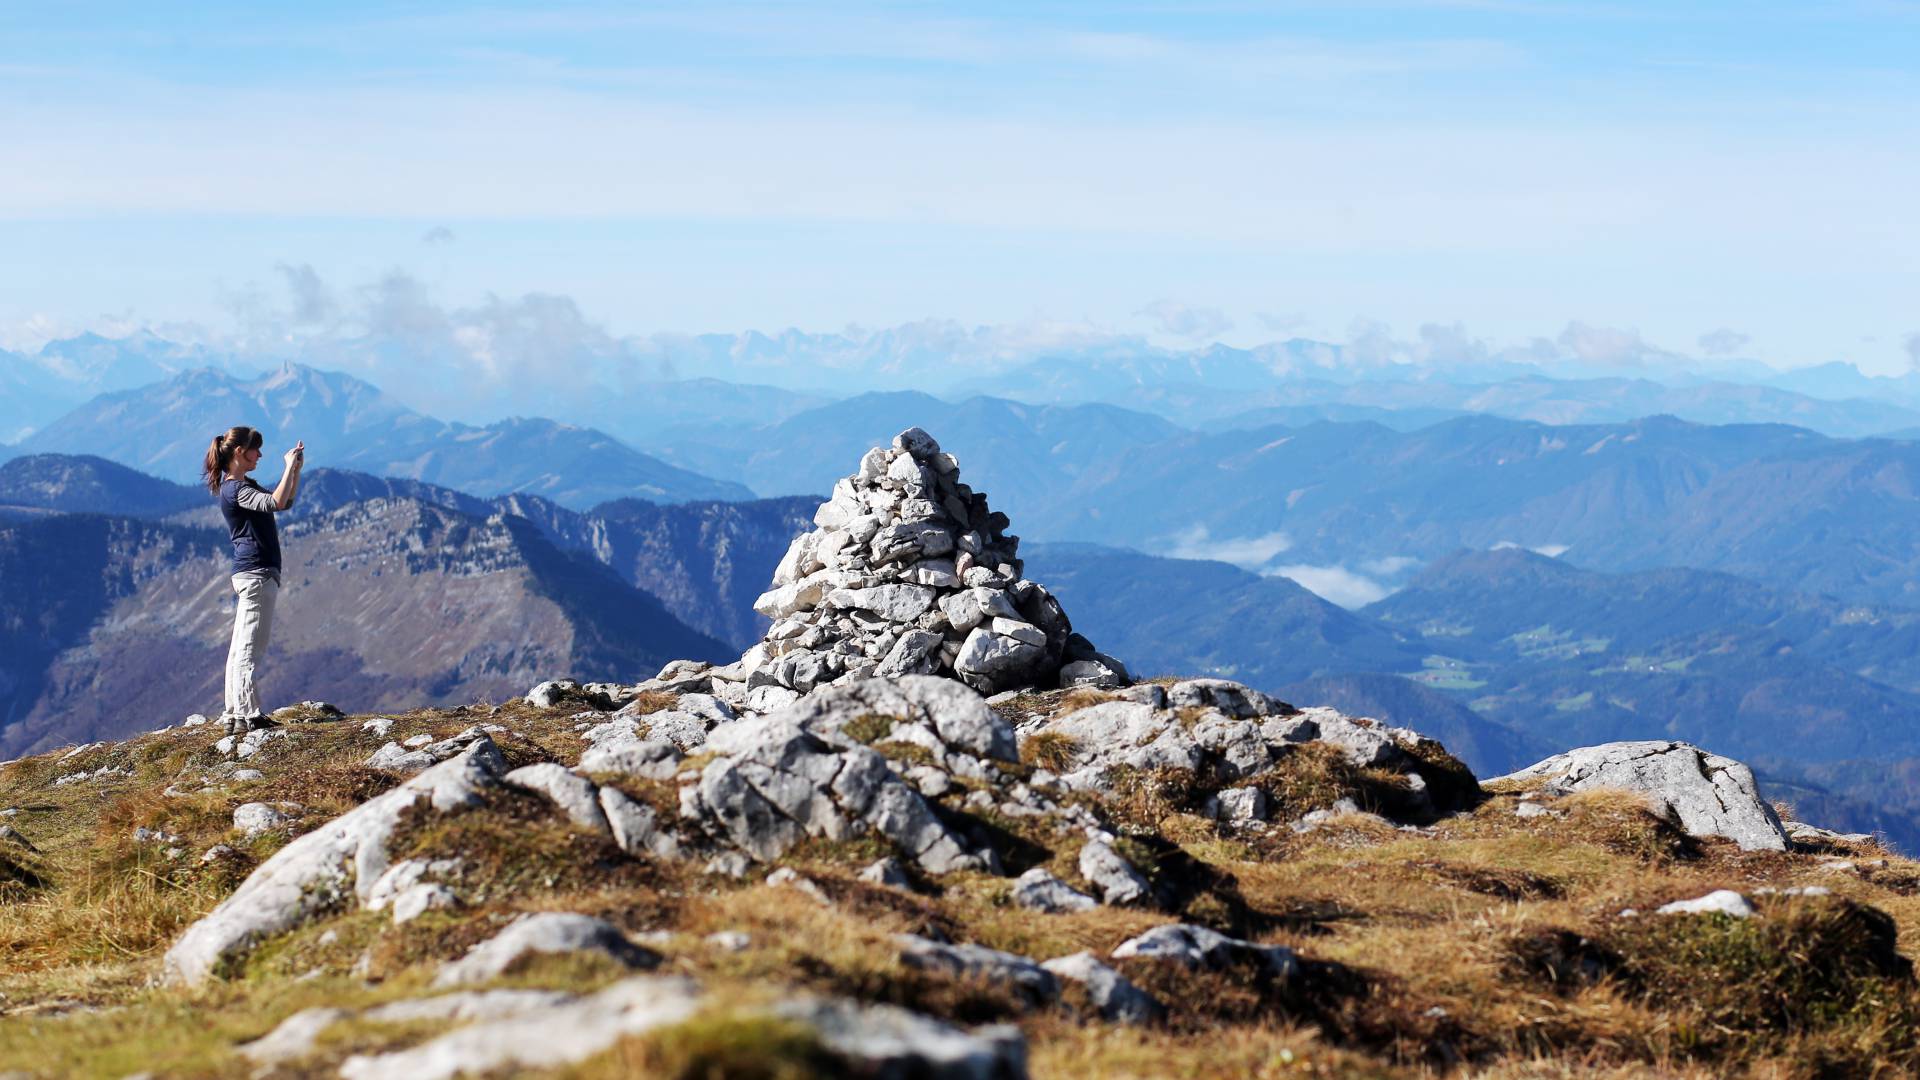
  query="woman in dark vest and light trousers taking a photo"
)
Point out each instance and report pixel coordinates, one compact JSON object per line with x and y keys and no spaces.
{"x":249,"y":510}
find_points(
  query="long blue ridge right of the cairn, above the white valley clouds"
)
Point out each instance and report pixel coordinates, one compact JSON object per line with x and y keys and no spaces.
{"x":1779,"y":504}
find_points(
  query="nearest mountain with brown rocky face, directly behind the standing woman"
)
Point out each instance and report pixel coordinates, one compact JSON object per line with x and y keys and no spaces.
{"x":120,"y":626}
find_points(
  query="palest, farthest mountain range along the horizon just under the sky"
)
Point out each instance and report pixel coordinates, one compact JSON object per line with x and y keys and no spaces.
{"x":654,"y":393}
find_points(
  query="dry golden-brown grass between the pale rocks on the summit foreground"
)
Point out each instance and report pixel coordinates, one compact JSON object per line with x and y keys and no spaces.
{"x":1487,"y":946}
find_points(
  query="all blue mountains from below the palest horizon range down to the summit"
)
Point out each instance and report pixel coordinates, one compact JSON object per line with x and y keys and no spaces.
{"x":1788,"y":641}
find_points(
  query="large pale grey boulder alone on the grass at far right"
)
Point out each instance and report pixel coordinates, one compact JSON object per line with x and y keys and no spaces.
{"x":1708,"y":795}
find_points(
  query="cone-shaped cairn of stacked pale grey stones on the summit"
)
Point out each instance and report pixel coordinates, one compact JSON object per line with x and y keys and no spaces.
{"x":913,"y":574}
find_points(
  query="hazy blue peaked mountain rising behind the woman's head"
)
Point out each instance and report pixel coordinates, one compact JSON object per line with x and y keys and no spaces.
{"x":164,"y":430}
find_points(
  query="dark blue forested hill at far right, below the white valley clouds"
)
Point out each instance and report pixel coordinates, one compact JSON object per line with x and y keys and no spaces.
{"x":1579,"y":656}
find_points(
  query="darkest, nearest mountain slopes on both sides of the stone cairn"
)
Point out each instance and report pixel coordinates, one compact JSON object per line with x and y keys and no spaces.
{"x":416,"y":593}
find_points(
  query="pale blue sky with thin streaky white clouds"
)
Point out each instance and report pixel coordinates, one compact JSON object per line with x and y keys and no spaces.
{"x":1184,"y":170}
